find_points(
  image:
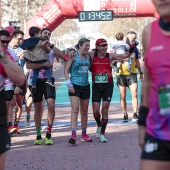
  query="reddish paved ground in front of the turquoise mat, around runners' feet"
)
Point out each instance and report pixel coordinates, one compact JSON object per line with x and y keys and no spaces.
{"x":121,"y":152}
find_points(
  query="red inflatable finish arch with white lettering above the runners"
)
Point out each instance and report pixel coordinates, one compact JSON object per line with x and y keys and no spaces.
{"x":56,"y":11}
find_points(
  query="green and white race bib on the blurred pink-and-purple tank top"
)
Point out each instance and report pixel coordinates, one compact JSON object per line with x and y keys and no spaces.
{"x":164,"y":99}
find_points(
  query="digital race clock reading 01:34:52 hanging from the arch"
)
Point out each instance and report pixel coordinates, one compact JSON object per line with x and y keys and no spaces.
{"x":95,"y":15}
